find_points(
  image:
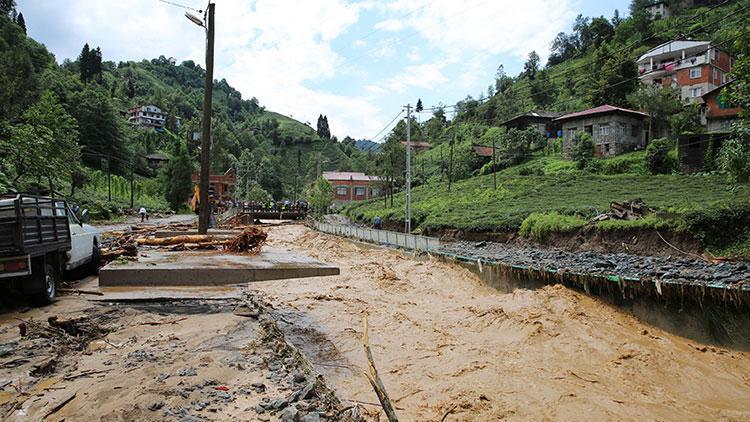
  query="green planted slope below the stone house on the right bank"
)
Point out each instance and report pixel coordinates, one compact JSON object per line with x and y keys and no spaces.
{"x":472,"y":204}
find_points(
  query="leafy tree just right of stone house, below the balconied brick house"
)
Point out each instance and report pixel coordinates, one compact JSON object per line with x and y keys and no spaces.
{"x":660,"y":104}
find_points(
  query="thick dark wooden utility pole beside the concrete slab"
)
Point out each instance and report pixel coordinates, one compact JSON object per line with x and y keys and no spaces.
{"x":205,"y":206}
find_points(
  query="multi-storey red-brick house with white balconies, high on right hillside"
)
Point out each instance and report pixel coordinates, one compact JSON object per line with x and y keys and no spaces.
{"x":693,"y":67}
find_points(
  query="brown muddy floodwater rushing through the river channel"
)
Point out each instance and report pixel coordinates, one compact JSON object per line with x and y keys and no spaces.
{"x":448,"y":346}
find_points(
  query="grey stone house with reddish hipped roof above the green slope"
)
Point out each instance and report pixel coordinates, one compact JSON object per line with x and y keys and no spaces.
{"x":615,"y":130}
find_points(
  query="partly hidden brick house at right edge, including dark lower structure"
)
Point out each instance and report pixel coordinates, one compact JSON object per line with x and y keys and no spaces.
{"x":717,"y":114}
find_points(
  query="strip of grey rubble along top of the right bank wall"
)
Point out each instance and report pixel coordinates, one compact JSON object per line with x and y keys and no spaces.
{"x":687,"y":269}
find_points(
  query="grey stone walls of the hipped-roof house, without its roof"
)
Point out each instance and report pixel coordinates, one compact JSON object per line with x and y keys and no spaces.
{"x":613,"y":134}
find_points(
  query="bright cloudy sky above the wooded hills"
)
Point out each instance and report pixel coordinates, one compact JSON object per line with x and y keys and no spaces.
{"x":359,"y":62}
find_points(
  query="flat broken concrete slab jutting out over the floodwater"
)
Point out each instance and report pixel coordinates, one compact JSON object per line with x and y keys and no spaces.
{"x":158,"y":268}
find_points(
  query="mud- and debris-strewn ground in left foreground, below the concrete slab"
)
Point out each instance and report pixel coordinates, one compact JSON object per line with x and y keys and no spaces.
{"x":178,"y":360}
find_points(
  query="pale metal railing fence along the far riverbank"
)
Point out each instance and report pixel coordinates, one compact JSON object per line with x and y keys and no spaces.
{"x":382,"y":237}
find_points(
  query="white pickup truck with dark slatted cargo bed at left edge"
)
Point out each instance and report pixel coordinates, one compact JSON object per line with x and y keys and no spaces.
{"x":39,"y":238}
